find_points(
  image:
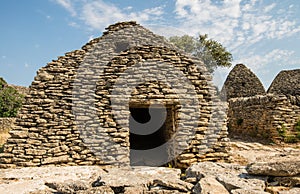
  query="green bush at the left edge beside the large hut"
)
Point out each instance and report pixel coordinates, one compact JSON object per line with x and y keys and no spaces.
{"x":10,"y":100}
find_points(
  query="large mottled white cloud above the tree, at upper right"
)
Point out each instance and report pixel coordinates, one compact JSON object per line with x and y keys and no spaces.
{"x":235,"y":23}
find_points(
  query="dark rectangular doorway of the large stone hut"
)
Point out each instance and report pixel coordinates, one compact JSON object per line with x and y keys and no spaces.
{"x":149,"y":129}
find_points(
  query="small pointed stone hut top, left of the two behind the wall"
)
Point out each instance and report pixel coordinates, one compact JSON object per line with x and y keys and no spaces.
{"x":241,"y":82}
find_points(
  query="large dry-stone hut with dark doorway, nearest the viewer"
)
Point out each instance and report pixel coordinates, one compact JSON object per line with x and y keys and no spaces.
{"x":126,"y":98}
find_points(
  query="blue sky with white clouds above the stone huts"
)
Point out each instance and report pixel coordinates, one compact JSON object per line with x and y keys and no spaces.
{"x":262,"y":34}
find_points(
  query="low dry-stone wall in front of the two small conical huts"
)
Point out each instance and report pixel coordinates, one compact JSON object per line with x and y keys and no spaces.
{"x":262,"y":117}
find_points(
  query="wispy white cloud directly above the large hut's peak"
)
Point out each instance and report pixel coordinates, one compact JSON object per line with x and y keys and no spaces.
{"x":98,"y":14}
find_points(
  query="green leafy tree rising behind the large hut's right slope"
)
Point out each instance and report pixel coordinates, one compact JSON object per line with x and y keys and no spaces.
{"x":211,"y":52}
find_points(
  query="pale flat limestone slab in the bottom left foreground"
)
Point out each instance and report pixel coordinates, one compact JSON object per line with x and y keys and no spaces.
{"x":33,"y":179}
